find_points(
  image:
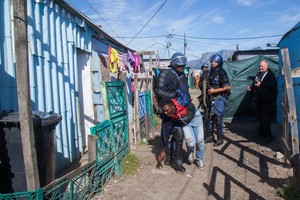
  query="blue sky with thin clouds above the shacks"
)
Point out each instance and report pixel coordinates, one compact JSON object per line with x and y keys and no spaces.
{"x":195,"y":18}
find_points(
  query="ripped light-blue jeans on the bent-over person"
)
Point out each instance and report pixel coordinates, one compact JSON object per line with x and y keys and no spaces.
{"x":194,"y":135}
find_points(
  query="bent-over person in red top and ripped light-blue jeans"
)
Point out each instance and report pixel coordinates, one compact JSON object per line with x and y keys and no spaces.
{"x":192,"y":127}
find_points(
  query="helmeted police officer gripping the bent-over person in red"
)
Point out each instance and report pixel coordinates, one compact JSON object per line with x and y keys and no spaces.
{"x":173,"y":83}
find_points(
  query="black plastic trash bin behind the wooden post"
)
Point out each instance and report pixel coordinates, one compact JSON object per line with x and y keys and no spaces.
{"x":12,"y":169}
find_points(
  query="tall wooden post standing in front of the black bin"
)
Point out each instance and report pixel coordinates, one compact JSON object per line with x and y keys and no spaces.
{"x":22,"y":78}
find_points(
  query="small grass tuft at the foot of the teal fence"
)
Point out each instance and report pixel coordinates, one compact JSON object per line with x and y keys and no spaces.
{"x":130,"y":164}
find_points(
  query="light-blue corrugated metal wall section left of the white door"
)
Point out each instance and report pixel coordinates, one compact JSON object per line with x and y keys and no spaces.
{"x":54,"y":36}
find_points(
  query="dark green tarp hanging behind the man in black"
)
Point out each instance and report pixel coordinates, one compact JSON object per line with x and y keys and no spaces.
{"x":241,"y":74}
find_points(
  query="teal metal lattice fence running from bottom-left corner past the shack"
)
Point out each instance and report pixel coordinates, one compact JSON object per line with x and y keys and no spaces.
{"x":111,"y":148}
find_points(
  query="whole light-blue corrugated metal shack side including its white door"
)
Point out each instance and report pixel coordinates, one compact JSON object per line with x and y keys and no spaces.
{"x":67,"y":63}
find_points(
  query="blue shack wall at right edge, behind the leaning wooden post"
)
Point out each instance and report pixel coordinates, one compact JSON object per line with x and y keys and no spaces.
{"x":291,"y":40}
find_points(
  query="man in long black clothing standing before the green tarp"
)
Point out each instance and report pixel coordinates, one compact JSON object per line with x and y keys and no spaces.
{"x":264,"y":92}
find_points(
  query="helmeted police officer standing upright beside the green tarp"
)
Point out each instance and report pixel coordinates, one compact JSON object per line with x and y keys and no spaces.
{"x":219,"y":90}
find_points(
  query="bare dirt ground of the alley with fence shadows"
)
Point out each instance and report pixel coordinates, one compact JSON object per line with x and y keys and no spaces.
{"x":242,"y":168}
